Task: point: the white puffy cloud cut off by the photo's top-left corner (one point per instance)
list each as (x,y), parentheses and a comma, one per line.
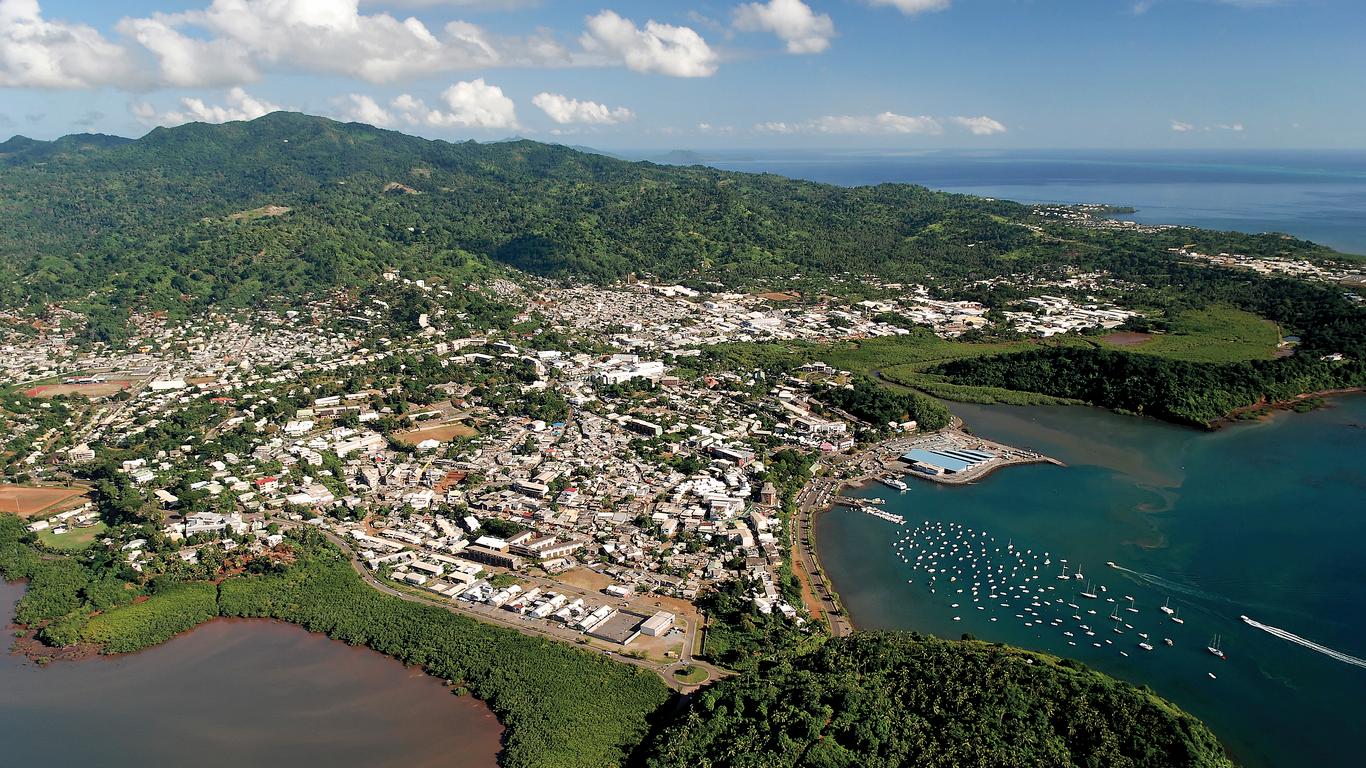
(36,53)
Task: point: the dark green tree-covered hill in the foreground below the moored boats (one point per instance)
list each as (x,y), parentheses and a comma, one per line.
(878,700)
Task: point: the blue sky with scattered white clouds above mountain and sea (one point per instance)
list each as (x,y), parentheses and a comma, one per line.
(707,74)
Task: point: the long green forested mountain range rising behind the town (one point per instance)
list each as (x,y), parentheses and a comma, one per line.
(193,215)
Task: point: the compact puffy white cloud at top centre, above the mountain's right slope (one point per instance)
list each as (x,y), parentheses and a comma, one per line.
(656,49)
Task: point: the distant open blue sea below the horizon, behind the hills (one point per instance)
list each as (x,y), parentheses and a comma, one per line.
(1318,196)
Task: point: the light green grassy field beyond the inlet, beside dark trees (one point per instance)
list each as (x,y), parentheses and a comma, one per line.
(1218,334)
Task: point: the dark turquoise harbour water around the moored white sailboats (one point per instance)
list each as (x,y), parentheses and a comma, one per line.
(1266,520)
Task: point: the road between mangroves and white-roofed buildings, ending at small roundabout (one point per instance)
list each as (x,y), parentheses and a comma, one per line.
(492,616)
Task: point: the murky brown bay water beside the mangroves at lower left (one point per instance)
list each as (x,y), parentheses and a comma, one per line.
(232,694)
